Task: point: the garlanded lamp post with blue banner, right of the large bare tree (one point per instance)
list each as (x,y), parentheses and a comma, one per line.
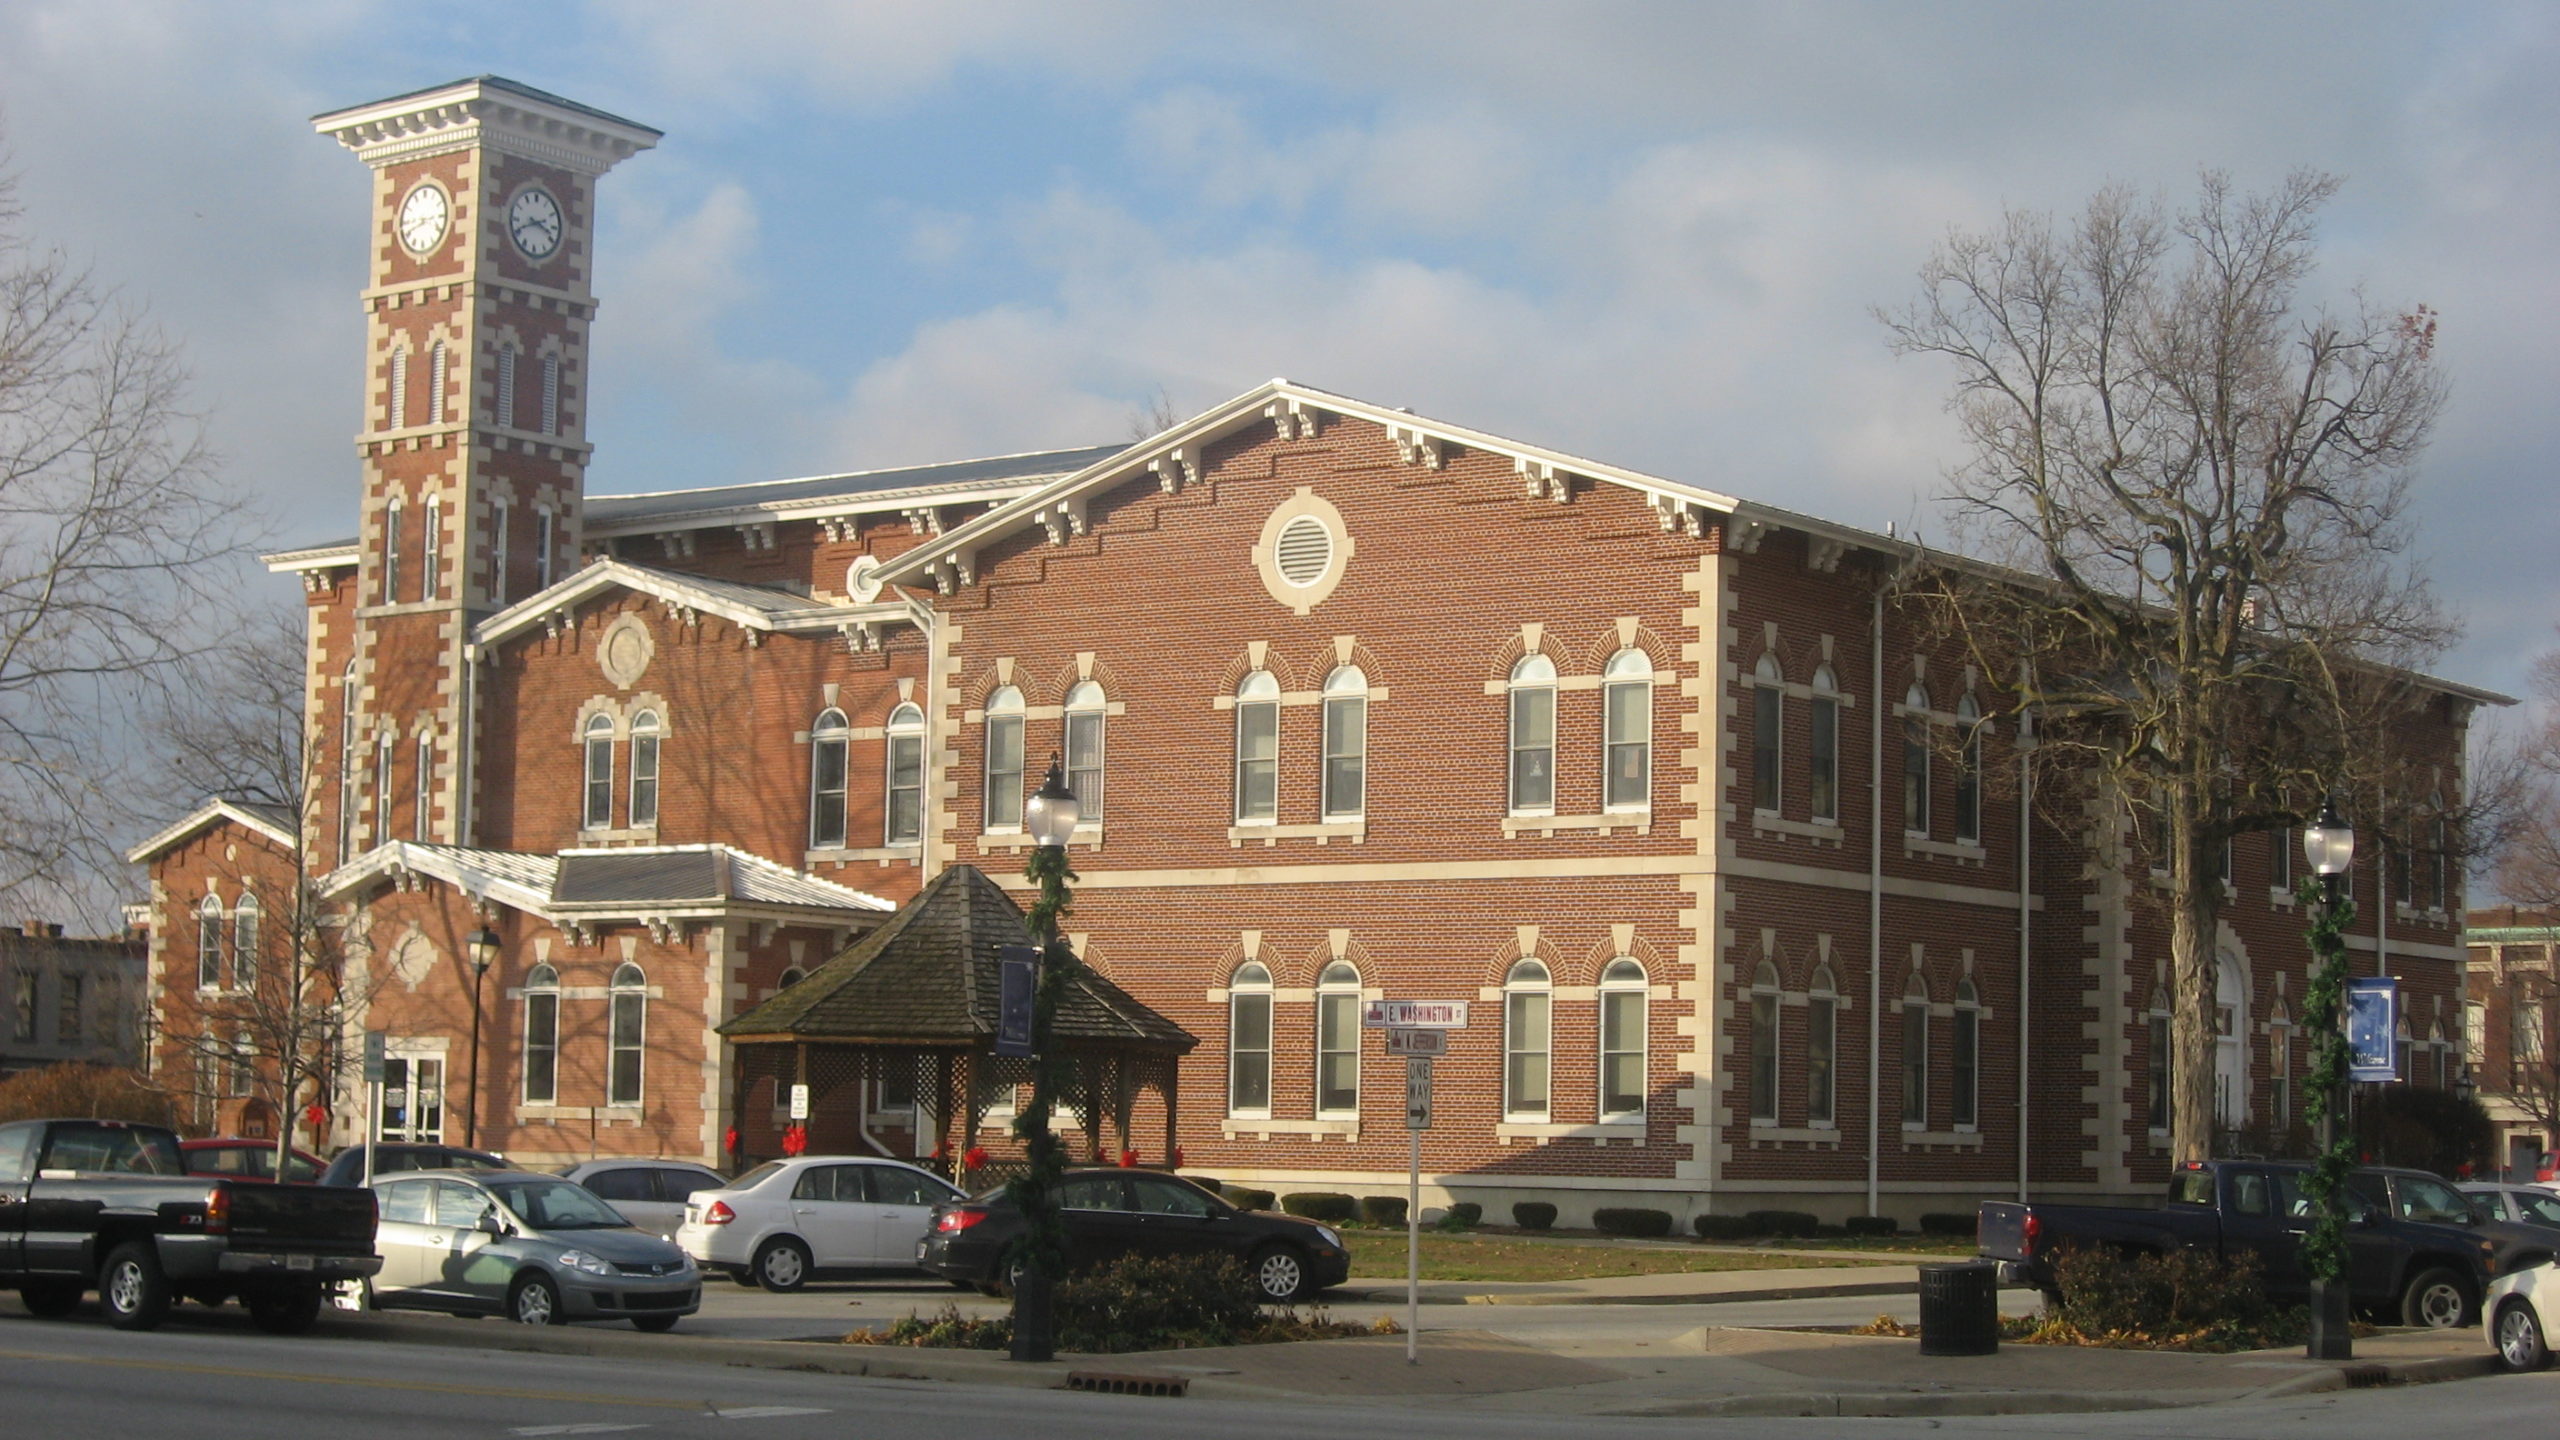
(2331,847)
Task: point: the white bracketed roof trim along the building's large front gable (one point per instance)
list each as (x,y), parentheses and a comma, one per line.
(1266,404)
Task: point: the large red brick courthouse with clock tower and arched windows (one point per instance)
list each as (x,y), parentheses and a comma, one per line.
(1358,703)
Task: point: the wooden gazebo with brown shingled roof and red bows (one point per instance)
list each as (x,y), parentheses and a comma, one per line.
(913,1008)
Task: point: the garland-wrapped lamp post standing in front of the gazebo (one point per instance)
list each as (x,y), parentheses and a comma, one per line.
(1048,816)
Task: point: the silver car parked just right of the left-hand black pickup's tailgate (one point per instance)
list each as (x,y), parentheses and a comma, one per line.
(534,1249)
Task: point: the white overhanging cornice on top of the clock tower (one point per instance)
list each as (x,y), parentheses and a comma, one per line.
(488,111)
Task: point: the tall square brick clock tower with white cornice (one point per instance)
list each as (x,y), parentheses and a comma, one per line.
(475,416)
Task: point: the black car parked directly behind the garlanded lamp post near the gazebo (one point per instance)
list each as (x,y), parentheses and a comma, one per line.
(1138,1213)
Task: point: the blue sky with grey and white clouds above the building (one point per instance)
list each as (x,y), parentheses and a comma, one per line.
(1647,232)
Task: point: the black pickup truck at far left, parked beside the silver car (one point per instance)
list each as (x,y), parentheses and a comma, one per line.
(111,1208)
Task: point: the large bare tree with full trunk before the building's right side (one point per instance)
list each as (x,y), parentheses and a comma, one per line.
(2200,486)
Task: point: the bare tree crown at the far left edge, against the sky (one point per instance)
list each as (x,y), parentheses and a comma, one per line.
(114,529)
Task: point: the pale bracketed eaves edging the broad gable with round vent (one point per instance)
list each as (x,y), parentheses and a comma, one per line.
(1174,457)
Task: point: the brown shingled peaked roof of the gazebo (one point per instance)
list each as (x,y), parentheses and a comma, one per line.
(931,975)
